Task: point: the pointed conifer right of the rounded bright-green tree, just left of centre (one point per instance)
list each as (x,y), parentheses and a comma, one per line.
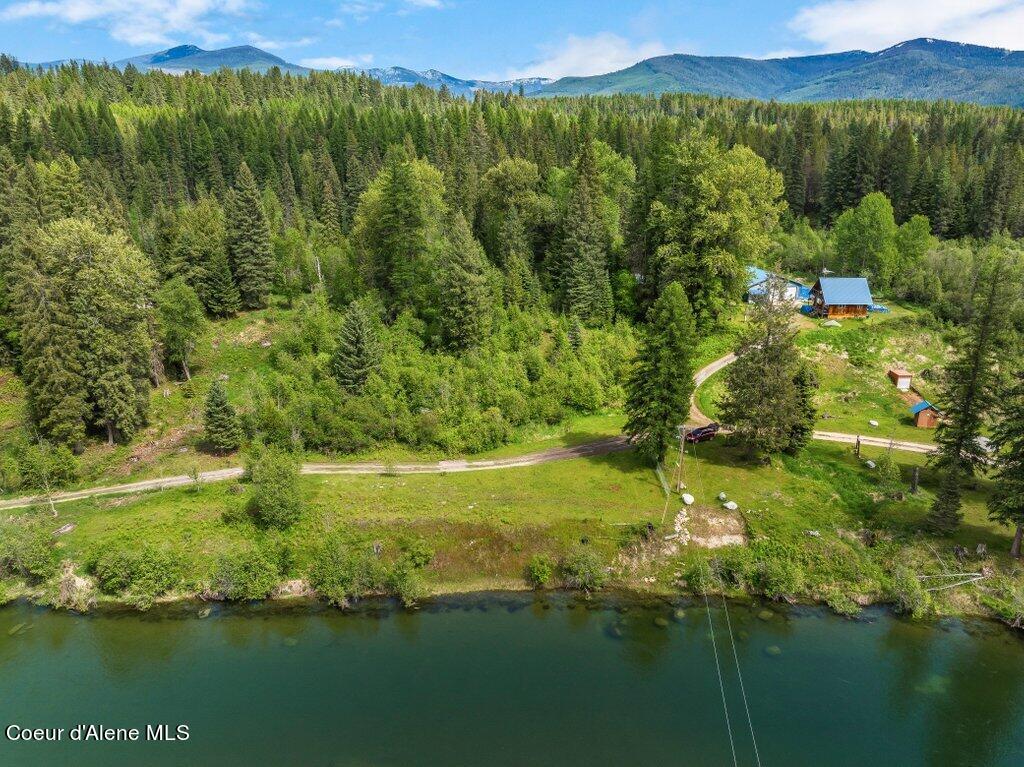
(465,296)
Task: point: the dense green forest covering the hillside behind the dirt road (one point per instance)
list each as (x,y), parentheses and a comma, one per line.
(451,271)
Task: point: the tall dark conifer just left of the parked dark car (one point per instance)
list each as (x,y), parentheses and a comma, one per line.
(661,386)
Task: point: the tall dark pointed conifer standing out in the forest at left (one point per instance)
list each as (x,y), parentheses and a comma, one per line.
(249,242)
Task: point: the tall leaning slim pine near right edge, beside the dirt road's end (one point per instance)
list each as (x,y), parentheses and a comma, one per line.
(969,390)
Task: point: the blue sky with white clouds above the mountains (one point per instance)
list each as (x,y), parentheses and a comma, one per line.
(496,39)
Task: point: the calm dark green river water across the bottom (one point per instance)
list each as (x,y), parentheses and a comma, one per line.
(509,681)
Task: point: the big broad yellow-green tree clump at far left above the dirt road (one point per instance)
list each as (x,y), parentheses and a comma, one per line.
(84,308)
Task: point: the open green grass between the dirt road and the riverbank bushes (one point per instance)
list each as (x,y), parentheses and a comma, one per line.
(485,527)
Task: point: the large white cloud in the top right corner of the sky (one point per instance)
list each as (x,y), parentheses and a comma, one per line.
(873,25)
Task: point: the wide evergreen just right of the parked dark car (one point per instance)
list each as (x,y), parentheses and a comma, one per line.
(770,390)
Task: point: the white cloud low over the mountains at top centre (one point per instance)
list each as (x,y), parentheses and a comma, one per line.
(588,56)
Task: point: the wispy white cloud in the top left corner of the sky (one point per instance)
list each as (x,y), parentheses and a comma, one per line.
(136,22)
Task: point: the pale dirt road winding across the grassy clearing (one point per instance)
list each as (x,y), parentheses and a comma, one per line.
(596,448)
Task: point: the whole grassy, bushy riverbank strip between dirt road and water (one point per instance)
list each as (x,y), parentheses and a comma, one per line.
(583,525)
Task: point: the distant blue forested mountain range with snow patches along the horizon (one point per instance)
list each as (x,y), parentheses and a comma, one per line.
(925,69)
